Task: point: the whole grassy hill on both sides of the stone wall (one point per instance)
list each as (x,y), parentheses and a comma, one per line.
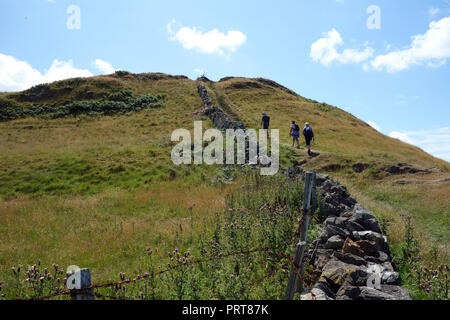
(94,186)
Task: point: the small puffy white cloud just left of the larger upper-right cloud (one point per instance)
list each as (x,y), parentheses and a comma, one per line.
(324,50)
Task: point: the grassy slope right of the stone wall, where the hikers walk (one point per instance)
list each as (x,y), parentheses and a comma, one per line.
(343,139)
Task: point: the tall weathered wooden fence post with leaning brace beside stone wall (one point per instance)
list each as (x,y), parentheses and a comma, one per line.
(294,284)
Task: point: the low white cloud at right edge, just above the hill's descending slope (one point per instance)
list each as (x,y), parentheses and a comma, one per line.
(433,141)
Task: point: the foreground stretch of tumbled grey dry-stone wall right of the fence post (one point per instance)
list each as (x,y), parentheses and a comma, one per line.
(350,259)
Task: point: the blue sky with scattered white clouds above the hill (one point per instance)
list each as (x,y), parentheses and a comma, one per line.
(385,61)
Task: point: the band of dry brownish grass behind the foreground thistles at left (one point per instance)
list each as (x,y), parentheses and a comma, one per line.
(107,231)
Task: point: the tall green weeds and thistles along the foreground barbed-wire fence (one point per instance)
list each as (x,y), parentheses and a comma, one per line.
(263,214)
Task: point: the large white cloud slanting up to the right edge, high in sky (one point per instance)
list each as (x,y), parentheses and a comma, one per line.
(432,48)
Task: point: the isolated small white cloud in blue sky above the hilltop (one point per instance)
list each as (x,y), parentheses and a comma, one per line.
(211,42)
